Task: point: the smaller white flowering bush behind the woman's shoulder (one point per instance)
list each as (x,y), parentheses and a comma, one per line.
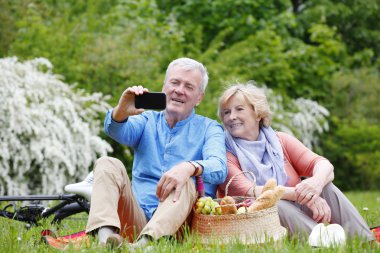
(303,118)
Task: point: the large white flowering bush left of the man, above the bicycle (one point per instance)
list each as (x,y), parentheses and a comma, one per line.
(48,130)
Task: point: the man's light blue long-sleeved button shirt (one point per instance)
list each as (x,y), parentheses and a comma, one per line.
(157,148)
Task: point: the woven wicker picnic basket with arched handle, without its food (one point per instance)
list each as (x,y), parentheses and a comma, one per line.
(249,228)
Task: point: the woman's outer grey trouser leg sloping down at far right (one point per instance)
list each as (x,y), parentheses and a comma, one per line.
(345,214)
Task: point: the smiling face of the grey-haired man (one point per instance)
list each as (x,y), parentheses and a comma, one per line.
(183,91)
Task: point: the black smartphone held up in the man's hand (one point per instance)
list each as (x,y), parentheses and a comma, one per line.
(151,100)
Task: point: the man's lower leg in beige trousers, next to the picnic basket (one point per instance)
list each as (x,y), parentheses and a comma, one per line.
(170,216)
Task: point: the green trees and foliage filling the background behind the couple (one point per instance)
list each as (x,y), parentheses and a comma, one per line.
(324,50)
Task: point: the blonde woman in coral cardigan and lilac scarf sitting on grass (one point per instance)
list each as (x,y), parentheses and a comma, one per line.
(254,146)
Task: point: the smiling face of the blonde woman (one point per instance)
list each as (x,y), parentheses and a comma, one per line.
(240,119)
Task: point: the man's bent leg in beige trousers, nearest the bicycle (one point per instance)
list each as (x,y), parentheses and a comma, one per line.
(112,201)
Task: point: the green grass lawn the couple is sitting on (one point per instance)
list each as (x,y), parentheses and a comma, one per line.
(15,237)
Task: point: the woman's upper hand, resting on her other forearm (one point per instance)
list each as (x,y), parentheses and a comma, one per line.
(308,190)
